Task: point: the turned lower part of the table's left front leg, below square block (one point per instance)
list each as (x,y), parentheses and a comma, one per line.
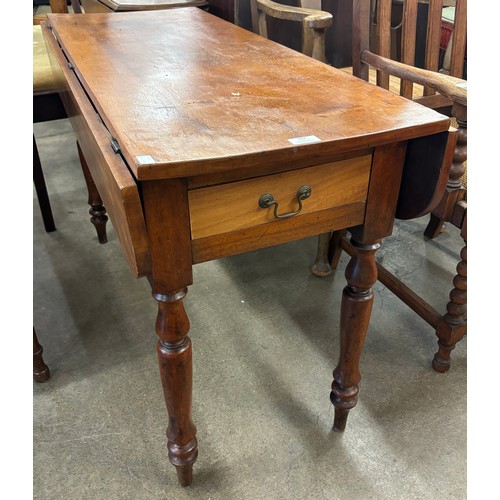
(175,359)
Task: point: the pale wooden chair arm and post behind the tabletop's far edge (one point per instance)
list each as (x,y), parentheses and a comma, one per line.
(313,24)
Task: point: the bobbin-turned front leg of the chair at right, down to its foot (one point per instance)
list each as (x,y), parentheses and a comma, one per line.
(453,326)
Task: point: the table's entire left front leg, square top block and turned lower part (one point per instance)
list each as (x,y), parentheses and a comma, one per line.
(167,217)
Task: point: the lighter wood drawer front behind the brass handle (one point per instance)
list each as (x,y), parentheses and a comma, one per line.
(235,206)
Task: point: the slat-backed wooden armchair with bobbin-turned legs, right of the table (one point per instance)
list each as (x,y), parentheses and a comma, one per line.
(430,86)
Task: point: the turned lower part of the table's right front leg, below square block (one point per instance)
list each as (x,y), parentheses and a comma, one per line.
(357,301)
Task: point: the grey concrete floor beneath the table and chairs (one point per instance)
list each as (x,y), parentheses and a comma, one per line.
(265,337)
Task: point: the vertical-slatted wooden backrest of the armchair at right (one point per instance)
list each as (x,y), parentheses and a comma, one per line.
(404,29)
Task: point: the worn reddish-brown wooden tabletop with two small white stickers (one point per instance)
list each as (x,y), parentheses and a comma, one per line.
(185,93)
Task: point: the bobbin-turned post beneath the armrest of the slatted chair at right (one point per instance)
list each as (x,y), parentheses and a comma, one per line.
(454,189)
